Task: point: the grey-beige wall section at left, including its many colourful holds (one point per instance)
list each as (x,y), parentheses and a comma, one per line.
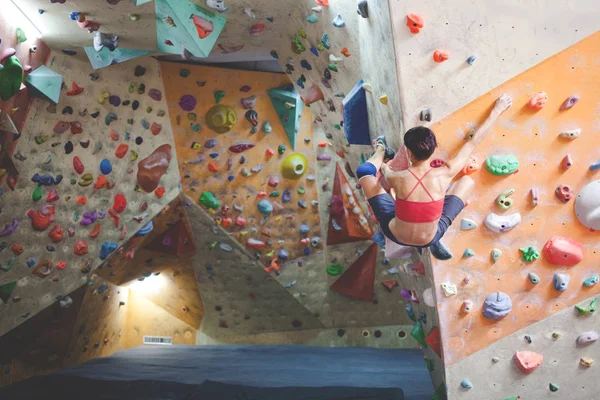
(93,170)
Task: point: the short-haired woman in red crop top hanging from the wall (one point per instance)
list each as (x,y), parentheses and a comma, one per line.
(420,207)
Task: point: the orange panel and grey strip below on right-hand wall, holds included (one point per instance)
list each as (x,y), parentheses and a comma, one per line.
(525,247)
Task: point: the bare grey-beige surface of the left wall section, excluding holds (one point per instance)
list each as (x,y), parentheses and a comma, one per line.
(54,156)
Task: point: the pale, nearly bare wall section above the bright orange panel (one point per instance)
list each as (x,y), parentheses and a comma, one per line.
(503,38)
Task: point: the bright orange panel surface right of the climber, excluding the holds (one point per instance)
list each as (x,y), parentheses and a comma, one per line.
(533,137)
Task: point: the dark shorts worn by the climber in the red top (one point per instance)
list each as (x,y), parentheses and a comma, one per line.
(384,208)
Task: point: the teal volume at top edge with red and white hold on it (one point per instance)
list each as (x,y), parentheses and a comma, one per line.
(181,24)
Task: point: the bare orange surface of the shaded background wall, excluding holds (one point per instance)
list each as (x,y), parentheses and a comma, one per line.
(196,178)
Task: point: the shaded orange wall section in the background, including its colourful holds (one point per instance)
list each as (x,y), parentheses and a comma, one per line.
(236,169)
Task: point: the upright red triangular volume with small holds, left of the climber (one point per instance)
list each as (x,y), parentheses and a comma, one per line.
(345,226)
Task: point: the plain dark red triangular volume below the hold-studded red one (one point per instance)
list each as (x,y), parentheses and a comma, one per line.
(359,280)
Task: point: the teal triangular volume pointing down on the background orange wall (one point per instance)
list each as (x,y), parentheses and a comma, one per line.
(288,106)
